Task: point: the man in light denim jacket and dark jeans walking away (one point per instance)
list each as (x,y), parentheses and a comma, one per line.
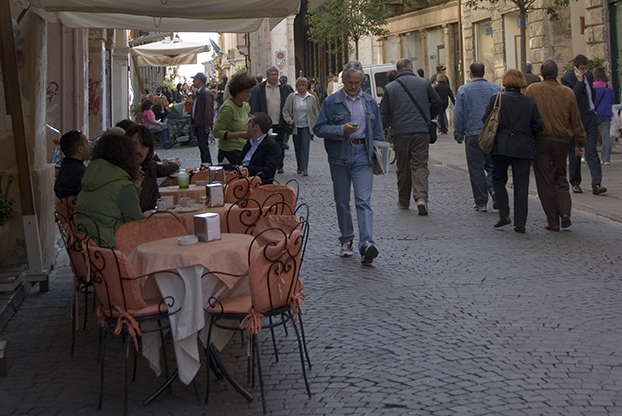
(471,102)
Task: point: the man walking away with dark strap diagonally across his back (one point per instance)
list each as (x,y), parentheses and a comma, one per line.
(411,137)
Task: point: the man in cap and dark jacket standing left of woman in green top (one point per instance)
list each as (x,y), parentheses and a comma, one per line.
(202,115)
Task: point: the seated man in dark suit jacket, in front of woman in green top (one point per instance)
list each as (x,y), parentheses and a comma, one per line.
(260,153)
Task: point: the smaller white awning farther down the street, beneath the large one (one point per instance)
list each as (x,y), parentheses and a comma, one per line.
(168,53)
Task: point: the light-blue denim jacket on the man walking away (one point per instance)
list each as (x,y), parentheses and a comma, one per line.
(471,102)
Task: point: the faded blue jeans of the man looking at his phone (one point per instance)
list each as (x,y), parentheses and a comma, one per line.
(361,176)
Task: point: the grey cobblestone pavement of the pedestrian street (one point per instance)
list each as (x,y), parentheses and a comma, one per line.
(455,318)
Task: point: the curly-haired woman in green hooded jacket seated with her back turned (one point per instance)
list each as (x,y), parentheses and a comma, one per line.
(110,190)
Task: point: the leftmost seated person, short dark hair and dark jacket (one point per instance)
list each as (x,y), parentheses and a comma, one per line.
(76,149)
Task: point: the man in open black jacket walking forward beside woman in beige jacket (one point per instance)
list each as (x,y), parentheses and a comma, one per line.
(270,100)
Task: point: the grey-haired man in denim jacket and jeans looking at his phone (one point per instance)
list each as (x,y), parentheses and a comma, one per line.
(349,121)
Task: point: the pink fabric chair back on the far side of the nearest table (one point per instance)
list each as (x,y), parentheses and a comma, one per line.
(135,233)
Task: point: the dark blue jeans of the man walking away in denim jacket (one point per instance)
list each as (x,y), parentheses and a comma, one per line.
(480,170)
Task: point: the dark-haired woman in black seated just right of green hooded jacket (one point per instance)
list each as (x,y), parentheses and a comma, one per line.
(150,167)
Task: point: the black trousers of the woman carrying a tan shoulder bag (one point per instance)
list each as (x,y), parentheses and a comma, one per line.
(520,177)
